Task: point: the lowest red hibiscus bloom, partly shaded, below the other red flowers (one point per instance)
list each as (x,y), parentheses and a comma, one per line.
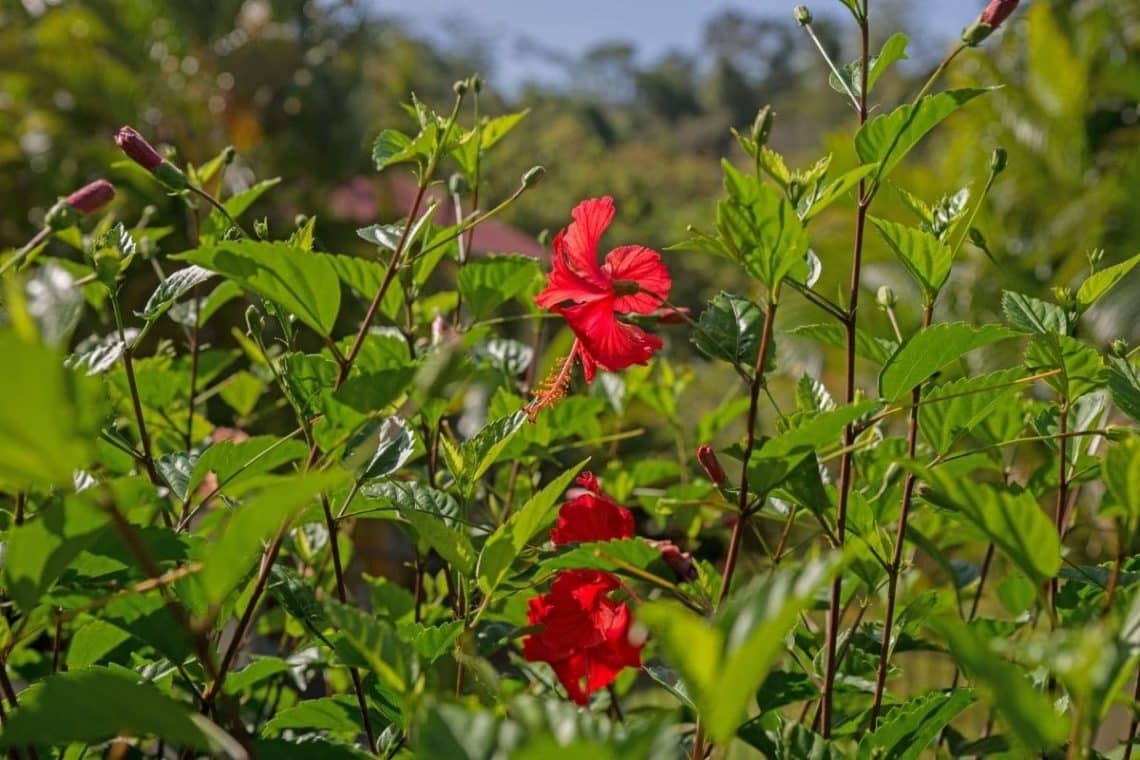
(585,635)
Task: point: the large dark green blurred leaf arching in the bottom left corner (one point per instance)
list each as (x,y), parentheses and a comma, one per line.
(99,705)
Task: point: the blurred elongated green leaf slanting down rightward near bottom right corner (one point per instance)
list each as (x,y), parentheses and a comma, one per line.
(1006,688)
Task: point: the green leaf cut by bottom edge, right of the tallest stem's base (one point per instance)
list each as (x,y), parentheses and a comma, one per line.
(908,731)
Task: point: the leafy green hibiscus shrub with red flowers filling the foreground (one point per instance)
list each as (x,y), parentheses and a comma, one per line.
(424,503)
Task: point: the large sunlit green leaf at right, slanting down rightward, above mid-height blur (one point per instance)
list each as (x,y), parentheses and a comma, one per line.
(1011,518)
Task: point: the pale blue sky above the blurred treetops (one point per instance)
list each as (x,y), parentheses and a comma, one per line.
(572,27)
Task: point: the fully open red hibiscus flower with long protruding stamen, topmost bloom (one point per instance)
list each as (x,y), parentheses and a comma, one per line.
(591,297)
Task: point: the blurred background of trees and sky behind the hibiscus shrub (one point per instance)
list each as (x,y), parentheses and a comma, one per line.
(632,99)
